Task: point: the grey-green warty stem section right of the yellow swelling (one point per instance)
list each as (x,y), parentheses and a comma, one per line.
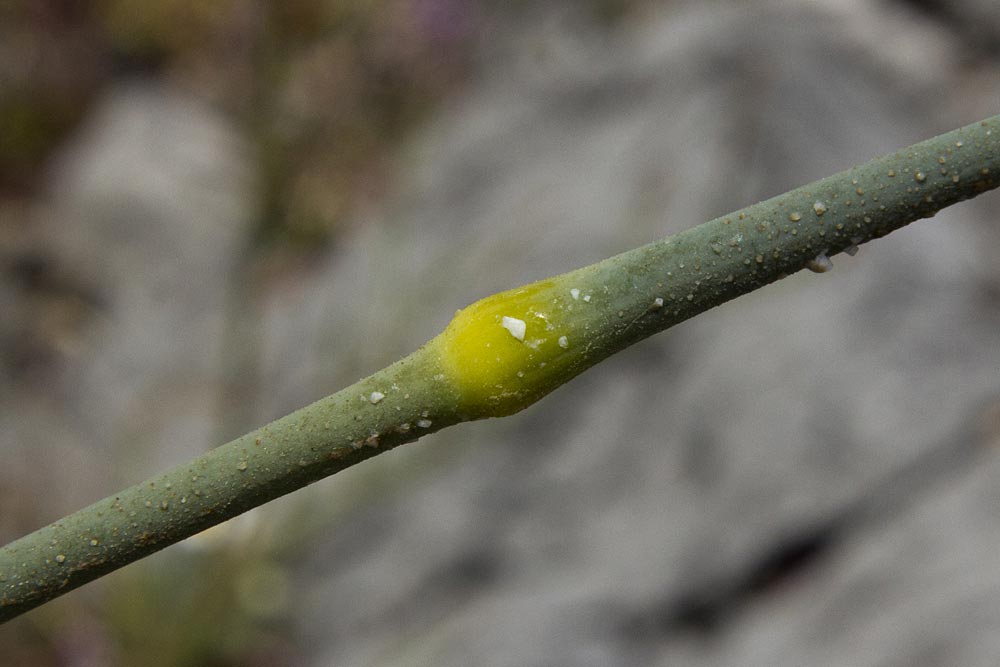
(719,260)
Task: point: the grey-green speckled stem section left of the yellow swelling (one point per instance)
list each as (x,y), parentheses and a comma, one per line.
(309,444)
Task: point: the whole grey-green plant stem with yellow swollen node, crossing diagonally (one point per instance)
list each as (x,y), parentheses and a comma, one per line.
(571,321)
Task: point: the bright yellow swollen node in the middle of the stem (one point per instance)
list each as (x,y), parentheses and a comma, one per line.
(506,351)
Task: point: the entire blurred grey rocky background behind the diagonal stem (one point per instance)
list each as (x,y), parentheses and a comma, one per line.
(212,213)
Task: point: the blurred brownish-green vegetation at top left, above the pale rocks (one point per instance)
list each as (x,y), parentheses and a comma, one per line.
(324,89)
